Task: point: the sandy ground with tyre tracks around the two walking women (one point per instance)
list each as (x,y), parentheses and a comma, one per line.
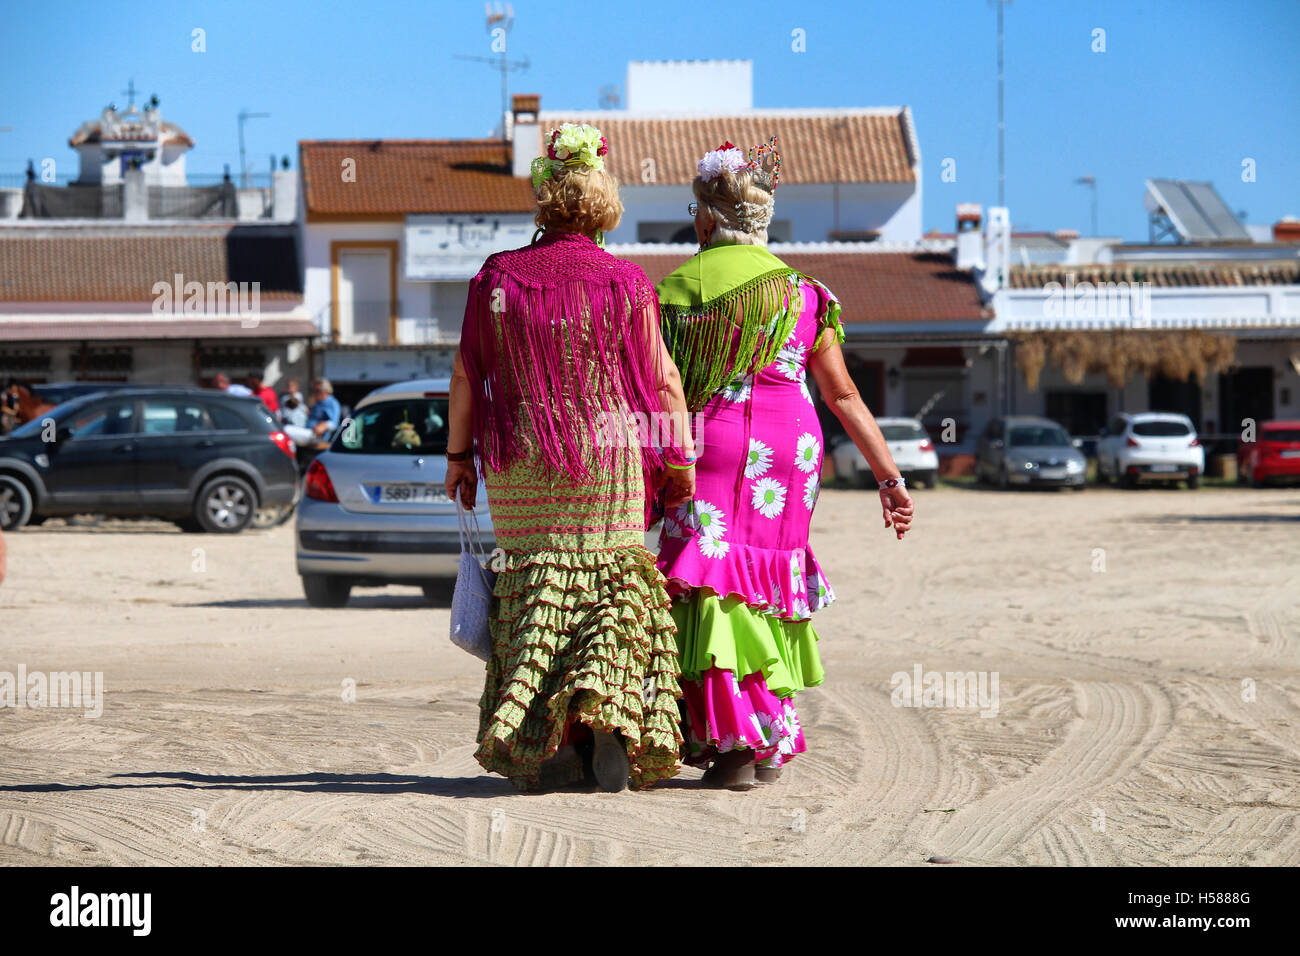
(1121,734)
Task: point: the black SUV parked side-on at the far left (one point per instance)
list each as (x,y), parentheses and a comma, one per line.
(201,458)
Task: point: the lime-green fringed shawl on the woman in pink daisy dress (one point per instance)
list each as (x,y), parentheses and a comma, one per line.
(726,313)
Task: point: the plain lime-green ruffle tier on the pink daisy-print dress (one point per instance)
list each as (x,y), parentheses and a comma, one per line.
(731,635)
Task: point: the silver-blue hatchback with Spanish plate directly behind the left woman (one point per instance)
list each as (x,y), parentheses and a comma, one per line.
(375,511)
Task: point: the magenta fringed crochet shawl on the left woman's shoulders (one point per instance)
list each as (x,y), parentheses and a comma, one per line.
(565,335)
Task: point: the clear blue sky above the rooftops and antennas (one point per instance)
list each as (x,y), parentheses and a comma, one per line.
(1186,89)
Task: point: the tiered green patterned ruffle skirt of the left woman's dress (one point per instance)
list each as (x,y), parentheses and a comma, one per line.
(583,637)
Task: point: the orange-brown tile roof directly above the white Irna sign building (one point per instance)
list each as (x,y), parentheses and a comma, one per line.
(400,176)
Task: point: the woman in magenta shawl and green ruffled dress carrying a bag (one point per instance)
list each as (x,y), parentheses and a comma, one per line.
(561,347)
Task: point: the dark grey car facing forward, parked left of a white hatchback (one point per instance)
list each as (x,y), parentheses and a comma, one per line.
(1022,452)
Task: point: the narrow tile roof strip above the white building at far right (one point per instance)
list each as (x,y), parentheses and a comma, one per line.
(1162,275)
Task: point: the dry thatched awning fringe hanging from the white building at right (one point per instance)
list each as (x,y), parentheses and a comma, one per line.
(1123,353)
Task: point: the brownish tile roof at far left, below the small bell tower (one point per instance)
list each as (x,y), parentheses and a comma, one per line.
(123,263)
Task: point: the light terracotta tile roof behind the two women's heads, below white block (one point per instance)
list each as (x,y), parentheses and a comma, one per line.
(830,148)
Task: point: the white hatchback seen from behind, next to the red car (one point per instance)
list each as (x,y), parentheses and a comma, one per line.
(1151,447)
